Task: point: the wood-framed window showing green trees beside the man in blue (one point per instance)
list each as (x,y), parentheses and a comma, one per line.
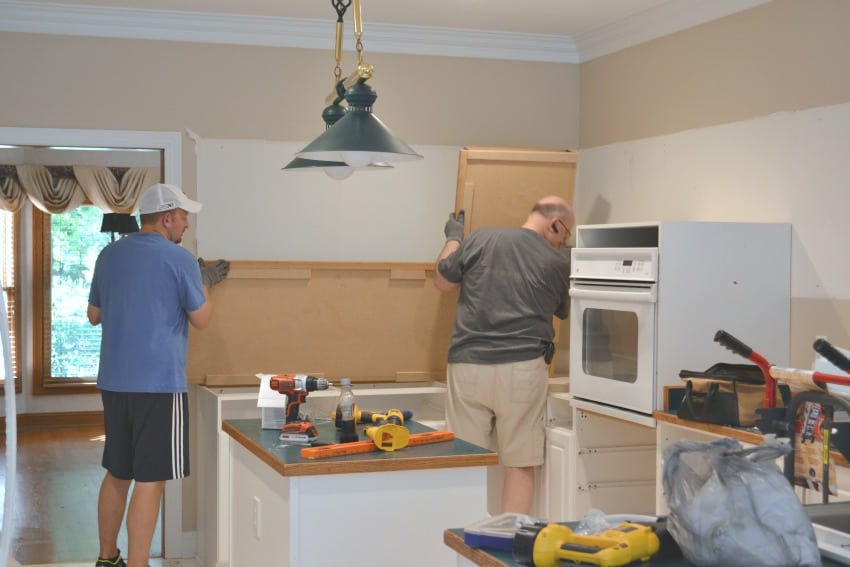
(67,347)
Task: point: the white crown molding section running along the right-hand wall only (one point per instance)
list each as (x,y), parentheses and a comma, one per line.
(665,19)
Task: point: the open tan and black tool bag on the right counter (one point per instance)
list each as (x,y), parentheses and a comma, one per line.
(725,394)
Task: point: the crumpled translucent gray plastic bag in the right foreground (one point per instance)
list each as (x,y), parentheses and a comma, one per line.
(733,507)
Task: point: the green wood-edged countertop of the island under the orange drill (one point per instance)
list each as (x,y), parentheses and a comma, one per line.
(286,458)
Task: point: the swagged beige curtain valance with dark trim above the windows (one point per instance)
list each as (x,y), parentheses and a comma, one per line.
(59,189)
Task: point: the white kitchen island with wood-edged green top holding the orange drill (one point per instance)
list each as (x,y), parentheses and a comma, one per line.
(380,508)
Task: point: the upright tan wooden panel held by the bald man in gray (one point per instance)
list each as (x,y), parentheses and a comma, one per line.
(498,186)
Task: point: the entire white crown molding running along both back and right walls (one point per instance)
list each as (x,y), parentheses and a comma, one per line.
(29,16)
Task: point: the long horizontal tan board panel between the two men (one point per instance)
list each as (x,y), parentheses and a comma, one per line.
(370,321)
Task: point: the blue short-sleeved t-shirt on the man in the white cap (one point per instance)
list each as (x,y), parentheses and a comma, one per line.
(145,286)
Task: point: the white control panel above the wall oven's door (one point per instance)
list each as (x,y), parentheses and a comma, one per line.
(624,264)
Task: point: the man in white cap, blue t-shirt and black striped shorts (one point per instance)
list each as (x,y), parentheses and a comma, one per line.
(145,292)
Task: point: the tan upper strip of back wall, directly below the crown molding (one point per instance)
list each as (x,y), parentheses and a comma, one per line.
(226,91)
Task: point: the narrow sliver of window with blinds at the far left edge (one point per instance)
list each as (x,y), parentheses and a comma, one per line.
(9,268)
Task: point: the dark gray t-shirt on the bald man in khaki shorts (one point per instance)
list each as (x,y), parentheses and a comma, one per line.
(512,283)
